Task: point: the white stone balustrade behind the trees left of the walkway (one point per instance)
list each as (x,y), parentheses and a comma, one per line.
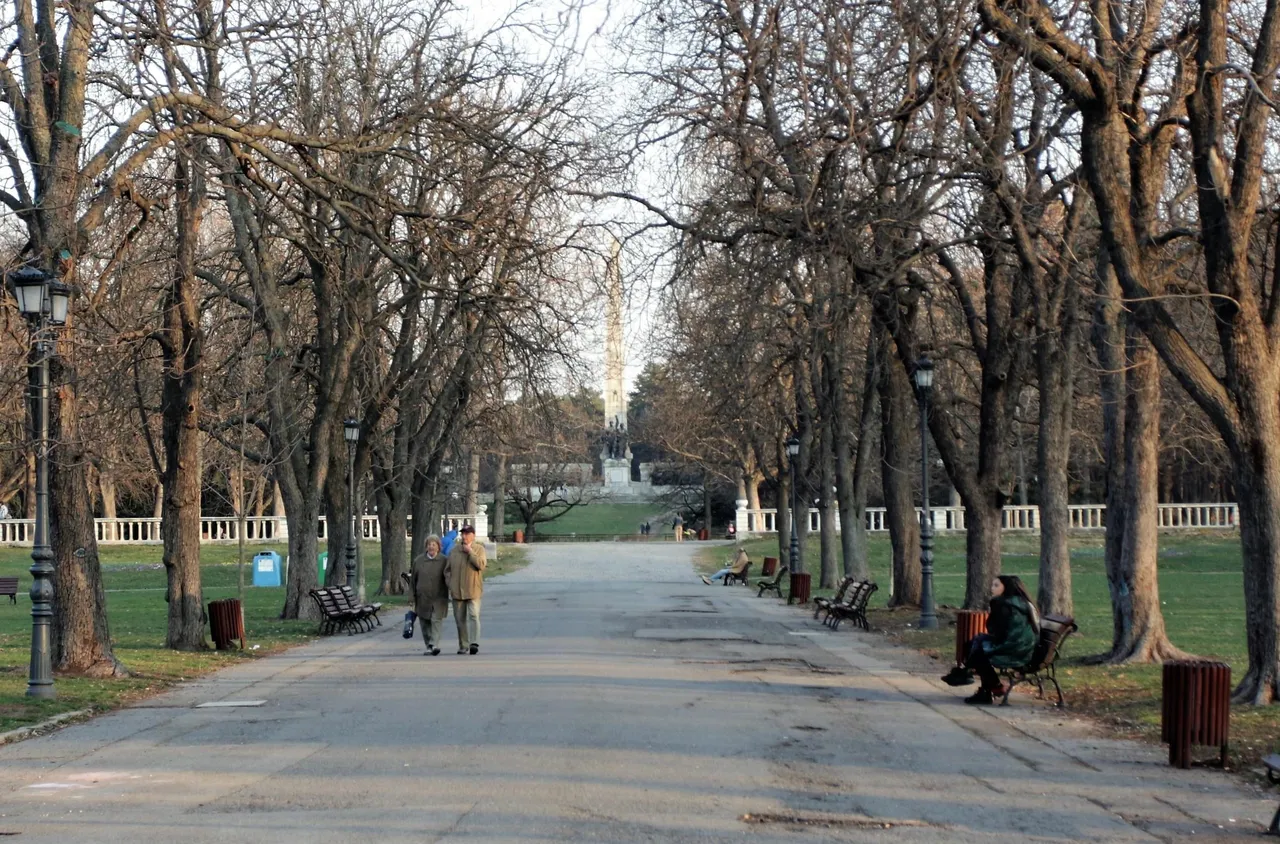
(143,532)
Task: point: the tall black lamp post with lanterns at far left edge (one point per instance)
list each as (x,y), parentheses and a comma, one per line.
(43,303)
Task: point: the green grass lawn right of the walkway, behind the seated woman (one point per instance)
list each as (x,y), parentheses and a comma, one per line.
(1201,590)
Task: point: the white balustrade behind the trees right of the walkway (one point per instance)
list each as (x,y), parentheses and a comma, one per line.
(1197,517)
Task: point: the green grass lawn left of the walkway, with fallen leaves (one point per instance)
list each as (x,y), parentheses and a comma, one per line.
(135,583)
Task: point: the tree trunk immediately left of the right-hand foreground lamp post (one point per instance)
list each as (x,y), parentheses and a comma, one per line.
(898,468)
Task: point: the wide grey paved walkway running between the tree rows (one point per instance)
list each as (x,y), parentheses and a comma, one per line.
(615,699)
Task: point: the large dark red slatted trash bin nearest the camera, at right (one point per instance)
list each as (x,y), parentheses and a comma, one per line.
(1196,708)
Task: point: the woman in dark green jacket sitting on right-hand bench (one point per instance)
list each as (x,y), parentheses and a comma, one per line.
(1013,629)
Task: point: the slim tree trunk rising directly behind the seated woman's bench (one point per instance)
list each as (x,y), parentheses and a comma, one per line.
(1055,359)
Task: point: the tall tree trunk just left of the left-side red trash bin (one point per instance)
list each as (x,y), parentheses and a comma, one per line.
(182,349)
